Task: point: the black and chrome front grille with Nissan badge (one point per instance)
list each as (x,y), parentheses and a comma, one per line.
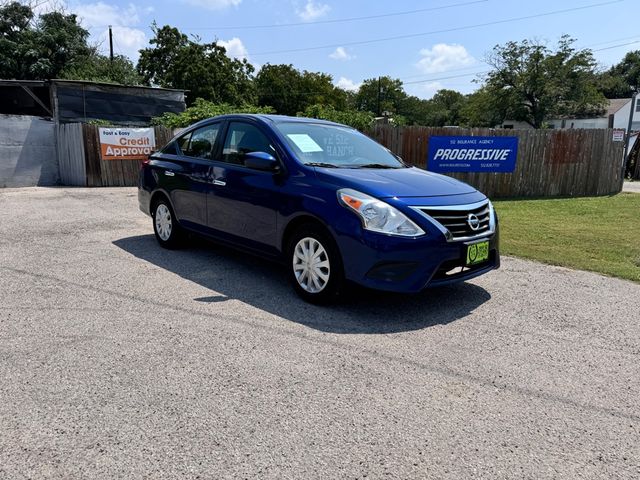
(458,221)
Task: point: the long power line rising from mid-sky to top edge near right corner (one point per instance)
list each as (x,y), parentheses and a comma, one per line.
(433,32)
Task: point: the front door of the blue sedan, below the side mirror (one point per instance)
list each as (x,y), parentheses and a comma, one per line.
(243,203)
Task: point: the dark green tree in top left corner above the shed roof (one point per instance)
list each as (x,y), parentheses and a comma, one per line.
(42,49)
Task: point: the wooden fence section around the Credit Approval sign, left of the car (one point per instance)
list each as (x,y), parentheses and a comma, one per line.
(81,164)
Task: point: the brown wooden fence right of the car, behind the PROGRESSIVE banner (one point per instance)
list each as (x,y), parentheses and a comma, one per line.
(550,162)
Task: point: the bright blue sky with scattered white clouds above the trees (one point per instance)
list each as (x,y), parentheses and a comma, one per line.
(429,44)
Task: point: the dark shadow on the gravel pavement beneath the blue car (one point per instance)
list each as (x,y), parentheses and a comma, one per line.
(263,284)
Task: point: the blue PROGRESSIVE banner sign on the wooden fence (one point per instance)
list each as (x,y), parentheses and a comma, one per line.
(472,154)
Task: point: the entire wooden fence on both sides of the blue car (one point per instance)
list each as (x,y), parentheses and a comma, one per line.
(550,162)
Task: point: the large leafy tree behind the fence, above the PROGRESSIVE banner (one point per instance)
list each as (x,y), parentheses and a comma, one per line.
(535,83)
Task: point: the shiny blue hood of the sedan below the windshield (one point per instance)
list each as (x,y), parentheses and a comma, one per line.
(401,182)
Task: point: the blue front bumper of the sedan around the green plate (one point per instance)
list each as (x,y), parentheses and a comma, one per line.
(410,265)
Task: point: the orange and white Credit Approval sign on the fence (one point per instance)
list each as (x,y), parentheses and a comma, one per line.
(126,143)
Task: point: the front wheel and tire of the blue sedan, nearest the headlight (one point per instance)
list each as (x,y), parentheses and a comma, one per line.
(314,264)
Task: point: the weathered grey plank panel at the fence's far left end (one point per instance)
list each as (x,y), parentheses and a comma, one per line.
(71,156)
